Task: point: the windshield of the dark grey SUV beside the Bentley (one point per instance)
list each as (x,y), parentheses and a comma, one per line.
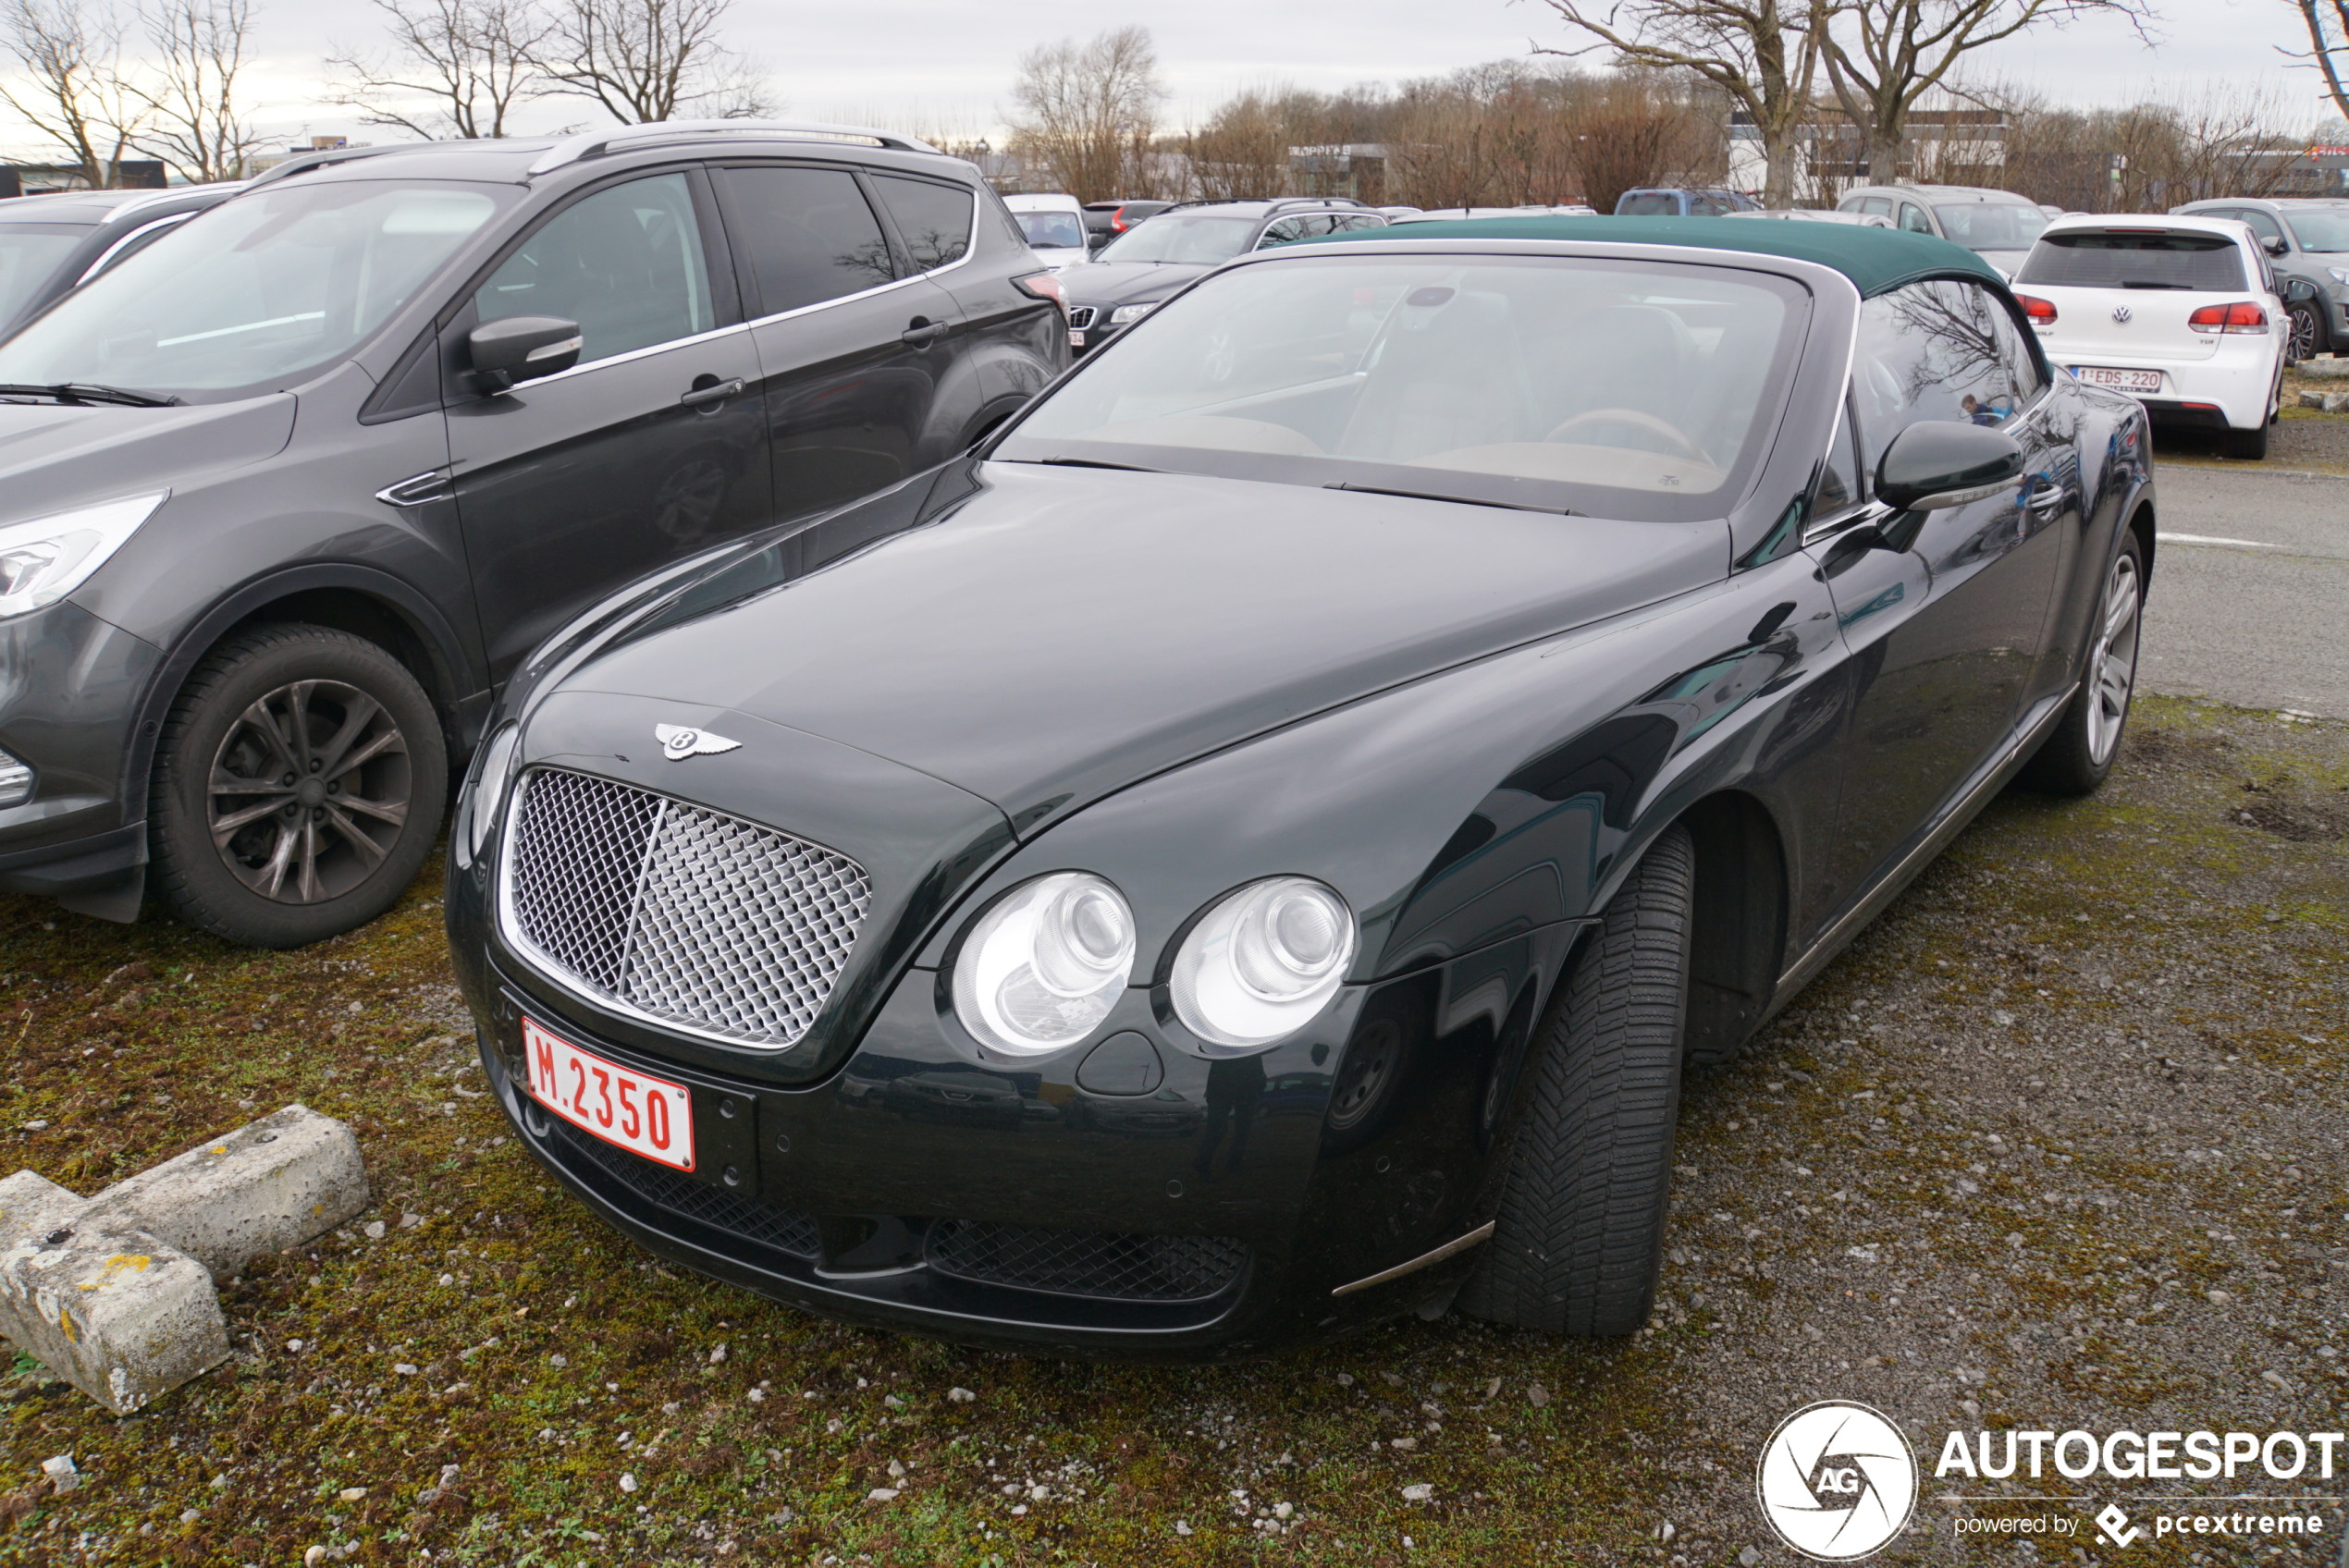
(255,292)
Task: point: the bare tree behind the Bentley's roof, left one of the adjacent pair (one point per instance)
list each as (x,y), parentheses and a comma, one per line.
(1761,53)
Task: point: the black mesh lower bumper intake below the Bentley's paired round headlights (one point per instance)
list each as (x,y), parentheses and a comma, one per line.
(1093,1264)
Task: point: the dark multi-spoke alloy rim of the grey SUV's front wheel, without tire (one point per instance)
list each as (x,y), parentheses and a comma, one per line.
(309,792)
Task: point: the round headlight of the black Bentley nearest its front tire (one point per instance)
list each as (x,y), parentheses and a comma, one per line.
(1263,961)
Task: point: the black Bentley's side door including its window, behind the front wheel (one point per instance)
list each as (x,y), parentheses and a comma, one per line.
(1944,611)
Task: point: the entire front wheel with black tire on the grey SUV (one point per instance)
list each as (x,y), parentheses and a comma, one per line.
(238,846)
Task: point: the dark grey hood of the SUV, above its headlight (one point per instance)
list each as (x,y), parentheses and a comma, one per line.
(58,454)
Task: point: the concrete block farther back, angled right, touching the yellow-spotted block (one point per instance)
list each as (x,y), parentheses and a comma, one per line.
(267,1187)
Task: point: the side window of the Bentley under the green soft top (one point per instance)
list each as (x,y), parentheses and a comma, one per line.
(1939,351)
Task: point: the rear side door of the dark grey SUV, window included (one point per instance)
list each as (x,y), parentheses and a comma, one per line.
(847,337)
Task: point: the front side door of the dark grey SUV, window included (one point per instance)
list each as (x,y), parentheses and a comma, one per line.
(647,450)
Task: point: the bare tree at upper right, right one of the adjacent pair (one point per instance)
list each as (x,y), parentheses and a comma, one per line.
(1885,55)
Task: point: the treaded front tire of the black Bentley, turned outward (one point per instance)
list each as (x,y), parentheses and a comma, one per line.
(1580,1236)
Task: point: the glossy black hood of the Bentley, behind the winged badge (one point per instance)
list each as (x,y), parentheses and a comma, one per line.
(1065,633)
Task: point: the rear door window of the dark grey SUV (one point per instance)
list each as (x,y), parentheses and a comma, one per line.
(809,236)
